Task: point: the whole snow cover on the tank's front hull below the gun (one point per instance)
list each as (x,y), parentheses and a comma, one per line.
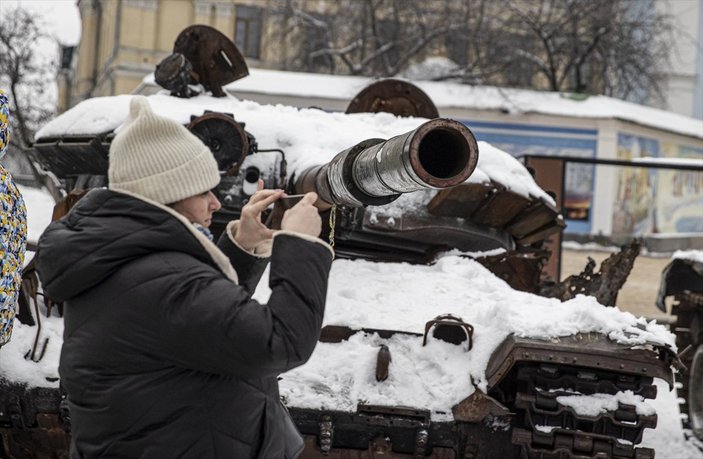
(399,296)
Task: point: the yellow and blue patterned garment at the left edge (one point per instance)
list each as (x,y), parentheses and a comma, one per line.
(13,234)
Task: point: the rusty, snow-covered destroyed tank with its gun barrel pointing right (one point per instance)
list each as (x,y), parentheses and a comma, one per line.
(422,366)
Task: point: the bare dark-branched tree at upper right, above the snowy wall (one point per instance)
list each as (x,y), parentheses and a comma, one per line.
(611,47)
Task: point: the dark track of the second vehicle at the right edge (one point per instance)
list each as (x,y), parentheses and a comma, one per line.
(688,309)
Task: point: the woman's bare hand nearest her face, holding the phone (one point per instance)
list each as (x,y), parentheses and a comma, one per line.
(252,231)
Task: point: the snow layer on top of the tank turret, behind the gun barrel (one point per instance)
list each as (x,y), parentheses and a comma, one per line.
(308,137)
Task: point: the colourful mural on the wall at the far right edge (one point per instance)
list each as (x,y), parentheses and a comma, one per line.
(651,200)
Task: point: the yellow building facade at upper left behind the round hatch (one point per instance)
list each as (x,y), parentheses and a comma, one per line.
(123,40)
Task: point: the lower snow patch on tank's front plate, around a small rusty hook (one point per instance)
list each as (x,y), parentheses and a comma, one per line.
(341,375)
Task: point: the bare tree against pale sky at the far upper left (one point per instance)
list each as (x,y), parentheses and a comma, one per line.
(26,74)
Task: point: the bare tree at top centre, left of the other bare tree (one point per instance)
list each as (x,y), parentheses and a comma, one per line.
(365,37)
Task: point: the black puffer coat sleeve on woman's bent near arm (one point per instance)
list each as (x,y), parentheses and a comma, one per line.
(211,324)
